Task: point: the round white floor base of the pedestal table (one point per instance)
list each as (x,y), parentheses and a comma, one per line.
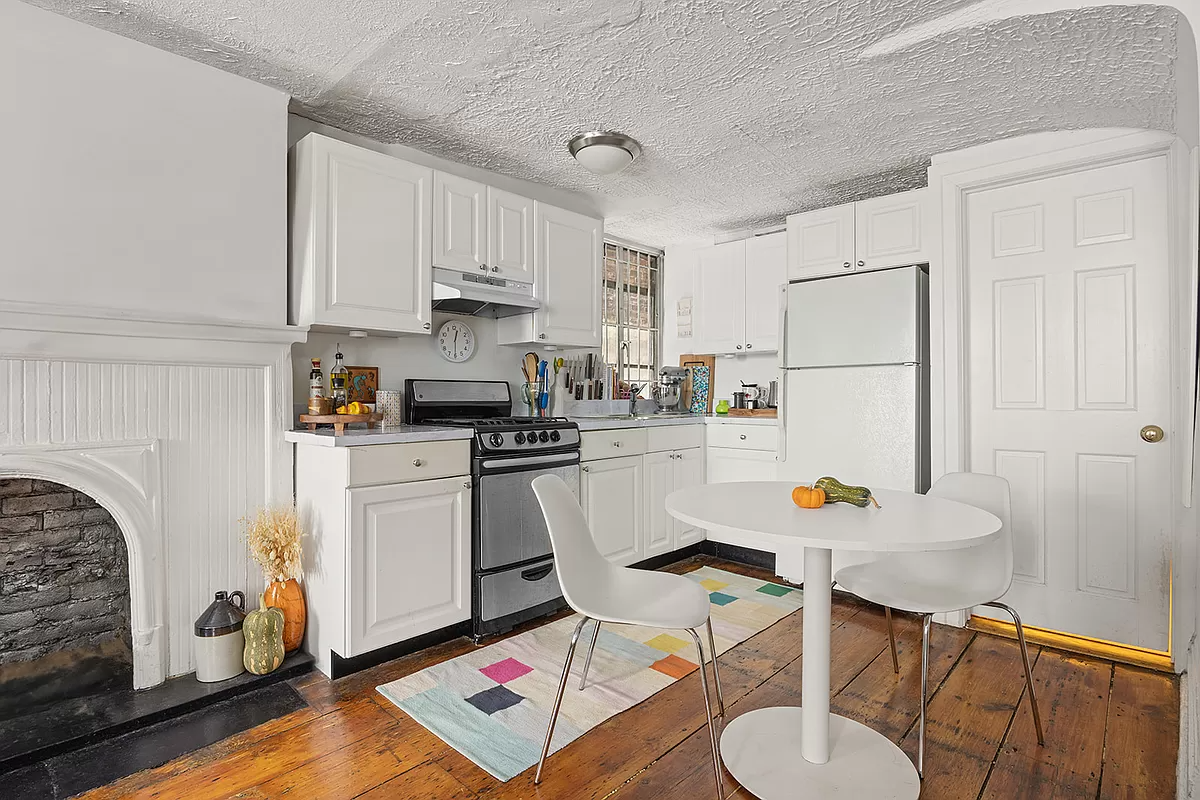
(763,750)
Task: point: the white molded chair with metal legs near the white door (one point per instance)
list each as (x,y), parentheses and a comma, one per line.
(932,584)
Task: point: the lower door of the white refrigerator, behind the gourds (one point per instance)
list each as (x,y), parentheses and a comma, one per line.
(862,425)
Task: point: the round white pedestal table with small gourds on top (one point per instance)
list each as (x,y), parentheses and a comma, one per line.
(790,753)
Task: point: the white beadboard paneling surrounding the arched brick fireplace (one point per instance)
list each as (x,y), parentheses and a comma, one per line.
(217,430)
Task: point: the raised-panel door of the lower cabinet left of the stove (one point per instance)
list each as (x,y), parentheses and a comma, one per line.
(410,562)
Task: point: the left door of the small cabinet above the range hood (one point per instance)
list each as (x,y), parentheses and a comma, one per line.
(460,224)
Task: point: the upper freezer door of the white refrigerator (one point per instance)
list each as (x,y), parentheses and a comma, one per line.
(863,318)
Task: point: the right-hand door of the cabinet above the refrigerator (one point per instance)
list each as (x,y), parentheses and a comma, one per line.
(889,231)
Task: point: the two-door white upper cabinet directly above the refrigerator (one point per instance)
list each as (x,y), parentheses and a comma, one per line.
(873,234)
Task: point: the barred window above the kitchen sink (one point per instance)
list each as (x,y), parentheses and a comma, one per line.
(632,282)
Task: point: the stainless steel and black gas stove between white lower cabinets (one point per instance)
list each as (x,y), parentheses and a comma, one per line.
(513,564)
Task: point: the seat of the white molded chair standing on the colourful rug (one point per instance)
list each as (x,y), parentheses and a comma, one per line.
(644,598)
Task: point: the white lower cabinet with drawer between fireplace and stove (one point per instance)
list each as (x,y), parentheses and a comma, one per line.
(388,550)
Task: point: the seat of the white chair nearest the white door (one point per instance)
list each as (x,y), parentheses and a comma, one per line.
(898,582)
